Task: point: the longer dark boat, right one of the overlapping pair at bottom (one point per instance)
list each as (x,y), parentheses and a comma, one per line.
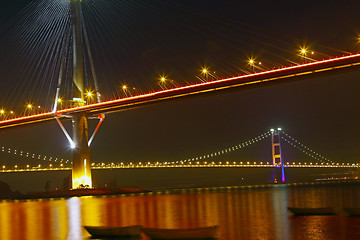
(187,233)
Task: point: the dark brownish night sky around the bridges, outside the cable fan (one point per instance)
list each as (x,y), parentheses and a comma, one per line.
(177,38)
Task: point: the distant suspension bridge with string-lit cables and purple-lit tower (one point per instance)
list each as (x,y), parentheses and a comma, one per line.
(278,164)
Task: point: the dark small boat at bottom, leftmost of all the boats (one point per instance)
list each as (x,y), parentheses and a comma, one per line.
(103,232)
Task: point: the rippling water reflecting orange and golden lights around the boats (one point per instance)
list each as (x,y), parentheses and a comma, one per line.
(244,214)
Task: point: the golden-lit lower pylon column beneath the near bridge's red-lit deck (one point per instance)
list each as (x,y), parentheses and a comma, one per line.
(81,169)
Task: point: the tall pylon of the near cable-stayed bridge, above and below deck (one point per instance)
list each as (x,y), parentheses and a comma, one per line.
(81,171)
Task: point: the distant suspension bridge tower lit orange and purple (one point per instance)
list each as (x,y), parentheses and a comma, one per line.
(278,169)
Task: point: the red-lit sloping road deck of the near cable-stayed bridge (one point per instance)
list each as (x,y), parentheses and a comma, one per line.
(276,76)
